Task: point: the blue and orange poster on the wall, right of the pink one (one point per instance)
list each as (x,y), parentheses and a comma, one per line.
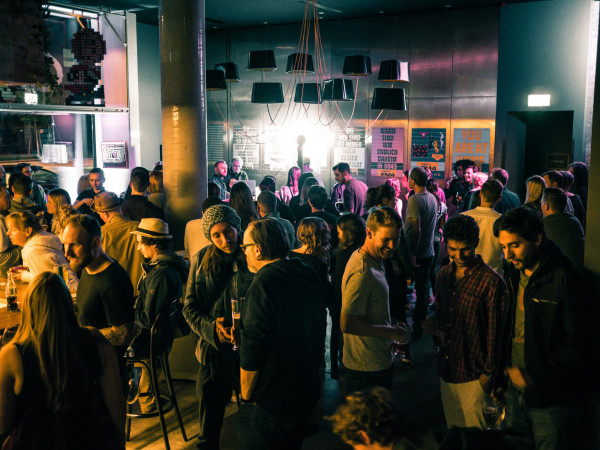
(428,149)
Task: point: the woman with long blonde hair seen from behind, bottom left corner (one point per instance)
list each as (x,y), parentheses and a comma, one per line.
(59,382)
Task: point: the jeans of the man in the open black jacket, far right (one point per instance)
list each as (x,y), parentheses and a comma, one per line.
(546,426)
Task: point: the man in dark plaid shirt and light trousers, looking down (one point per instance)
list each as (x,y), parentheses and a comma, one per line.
(470,300)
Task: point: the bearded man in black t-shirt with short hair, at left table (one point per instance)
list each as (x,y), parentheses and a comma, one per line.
(105,292)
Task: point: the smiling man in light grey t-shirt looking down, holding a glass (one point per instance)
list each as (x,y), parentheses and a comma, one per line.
(365,317)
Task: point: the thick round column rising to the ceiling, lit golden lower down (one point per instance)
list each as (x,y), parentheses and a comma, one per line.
(183,97)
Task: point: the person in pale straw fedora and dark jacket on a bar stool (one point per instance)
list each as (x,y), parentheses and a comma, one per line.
(160,288)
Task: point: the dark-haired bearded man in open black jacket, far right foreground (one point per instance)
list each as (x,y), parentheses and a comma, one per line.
(542,342)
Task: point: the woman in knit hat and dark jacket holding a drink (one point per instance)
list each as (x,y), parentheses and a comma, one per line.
(218,274)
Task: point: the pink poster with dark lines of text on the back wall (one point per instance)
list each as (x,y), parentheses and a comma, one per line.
(387,152)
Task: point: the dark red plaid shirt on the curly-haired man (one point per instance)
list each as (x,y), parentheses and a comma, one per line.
(471,310)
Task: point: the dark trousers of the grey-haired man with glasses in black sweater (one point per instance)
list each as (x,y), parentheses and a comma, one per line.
(259,429)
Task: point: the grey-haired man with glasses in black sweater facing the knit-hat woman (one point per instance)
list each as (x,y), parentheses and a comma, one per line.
(281,346)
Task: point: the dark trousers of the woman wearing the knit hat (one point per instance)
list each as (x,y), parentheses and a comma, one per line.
(213,391)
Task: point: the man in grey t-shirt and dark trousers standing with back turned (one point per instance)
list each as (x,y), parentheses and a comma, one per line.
(420,225)
